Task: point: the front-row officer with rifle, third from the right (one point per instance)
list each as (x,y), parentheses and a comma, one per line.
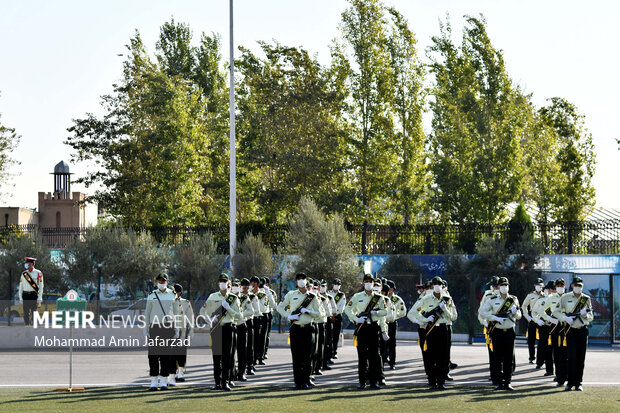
(436,311)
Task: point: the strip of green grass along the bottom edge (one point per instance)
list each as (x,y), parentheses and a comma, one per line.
(266,399)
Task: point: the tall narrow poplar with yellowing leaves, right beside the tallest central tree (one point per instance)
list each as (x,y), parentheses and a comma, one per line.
(411,191)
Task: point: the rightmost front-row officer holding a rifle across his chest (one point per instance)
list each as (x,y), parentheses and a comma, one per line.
(575,309)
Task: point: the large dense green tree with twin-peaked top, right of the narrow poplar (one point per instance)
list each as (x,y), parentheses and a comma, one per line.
(478,121)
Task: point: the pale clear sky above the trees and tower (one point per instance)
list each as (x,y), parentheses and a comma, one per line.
(58,57)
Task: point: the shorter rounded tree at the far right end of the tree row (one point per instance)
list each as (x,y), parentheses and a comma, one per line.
(575,157)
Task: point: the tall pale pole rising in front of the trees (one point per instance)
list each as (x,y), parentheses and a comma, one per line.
(233,165)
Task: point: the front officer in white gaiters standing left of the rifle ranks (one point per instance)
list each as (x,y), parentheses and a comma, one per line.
(160,328)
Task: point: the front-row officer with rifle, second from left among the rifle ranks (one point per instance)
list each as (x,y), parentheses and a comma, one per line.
(299,307)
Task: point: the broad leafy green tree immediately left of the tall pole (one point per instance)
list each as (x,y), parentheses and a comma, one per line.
(156,143)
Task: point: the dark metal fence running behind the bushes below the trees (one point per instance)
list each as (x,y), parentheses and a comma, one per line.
(587,237)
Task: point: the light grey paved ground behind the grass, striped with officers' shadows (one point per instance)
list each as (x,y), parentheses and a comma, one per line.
(113,368)
